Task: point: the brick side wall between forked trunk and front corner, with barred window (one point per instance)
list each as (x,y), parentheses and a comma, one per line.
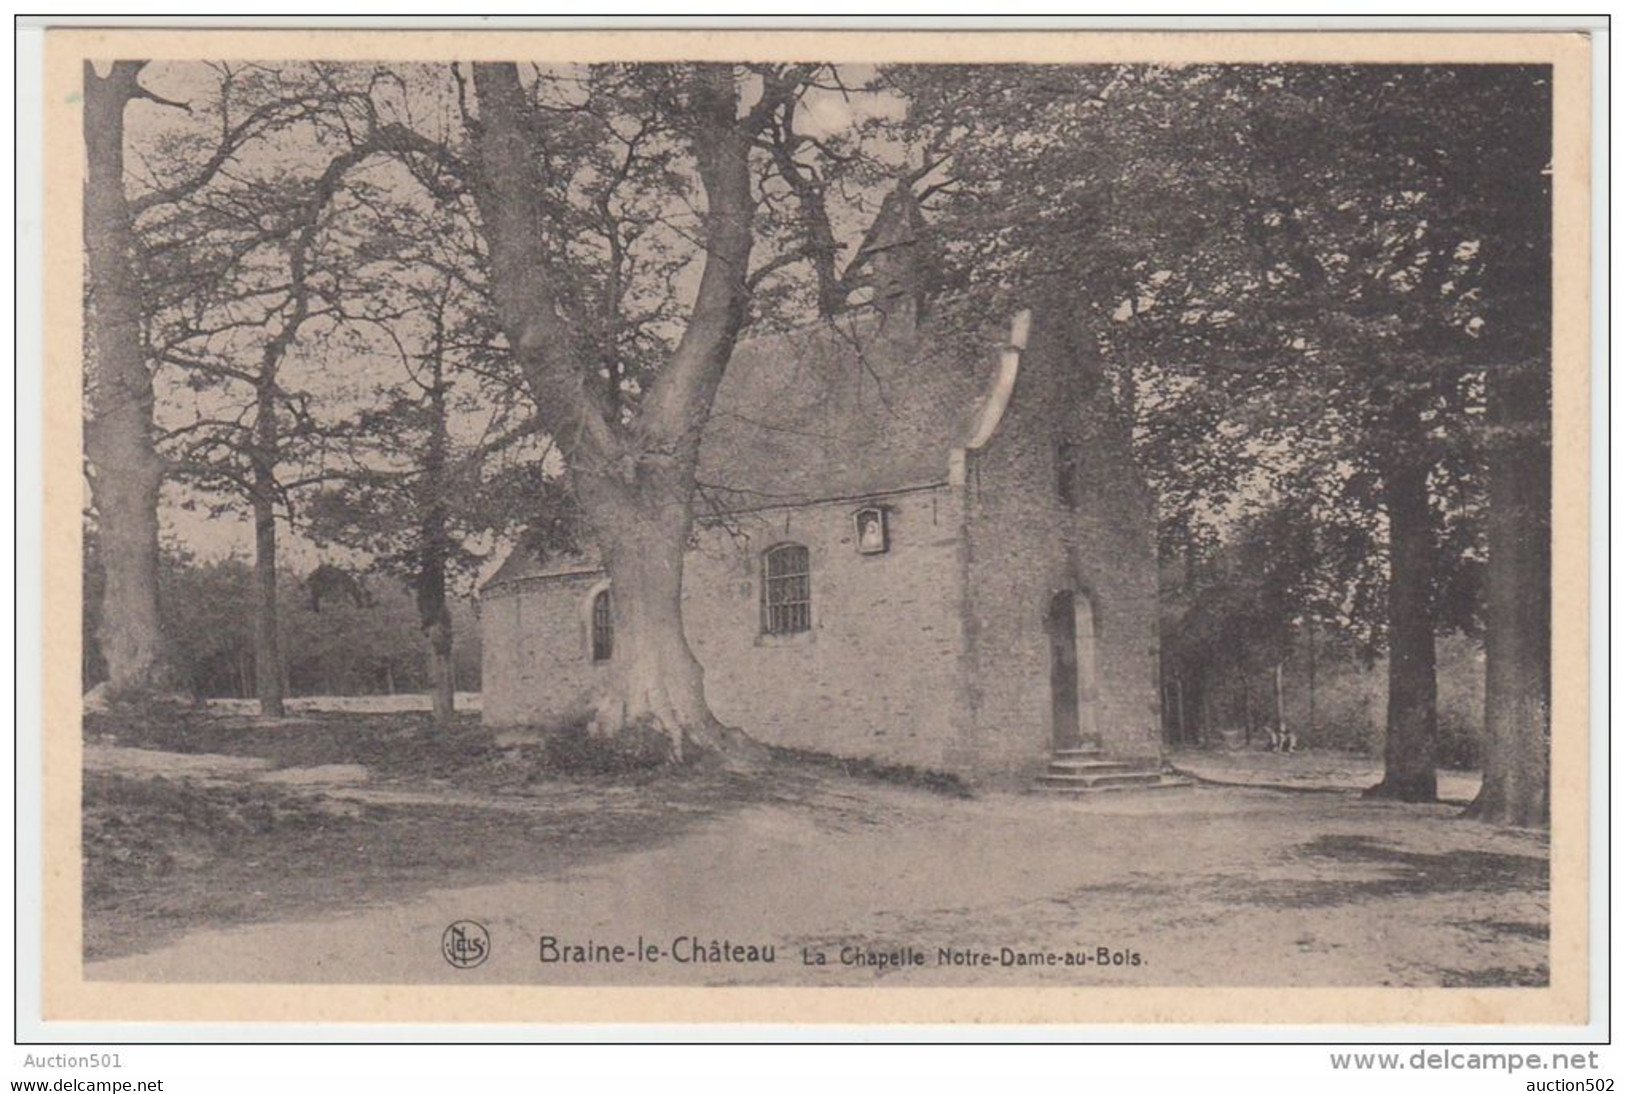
(878,674)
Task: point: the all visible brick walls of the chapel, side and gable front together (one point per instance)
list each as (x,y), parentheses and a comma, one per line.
(934,654)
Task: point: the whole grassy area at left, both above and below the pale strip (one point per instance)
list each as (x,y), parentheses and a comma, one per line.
(167,856)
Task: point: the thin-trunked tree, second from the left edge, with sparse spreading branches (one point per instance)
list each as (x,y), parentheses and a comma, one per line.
(261,269)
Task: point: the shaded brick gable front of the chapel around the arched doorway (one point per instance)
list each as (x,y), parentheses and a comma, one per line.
(1023,545)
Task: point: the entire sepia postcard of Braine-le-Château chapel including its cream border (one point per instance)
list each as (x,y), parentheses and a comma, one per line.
(817,527)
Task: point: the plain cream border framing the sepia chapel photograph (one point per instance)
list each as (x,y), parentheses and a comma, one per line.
(69,997)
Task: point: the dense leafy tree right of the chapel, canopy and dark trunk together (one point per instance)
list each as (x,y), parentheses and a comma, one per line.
(1293,259)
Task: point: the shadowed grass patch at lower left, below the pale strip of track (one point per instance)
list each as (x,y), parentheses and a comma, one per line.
(167,857)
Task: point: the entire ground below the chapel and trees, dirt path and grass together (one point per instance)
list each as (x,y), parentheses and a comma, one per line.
(339,848)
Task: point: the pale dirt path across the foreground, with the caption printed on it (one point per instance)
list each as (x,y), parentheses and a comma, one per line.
(1216,887)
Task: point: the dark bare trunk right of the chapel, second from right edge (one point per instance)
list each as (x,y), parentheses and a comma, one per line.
(1413,688)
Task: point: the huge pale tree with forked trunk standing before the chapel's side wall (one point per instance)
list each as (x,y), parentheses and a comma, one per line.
(631,462)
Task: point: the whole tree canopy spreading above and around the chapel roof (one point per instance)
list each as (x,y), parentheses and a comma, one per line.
(371,321)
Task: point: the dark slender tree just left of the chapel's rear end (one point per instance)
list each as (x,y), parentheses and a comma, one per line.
(443,462)
